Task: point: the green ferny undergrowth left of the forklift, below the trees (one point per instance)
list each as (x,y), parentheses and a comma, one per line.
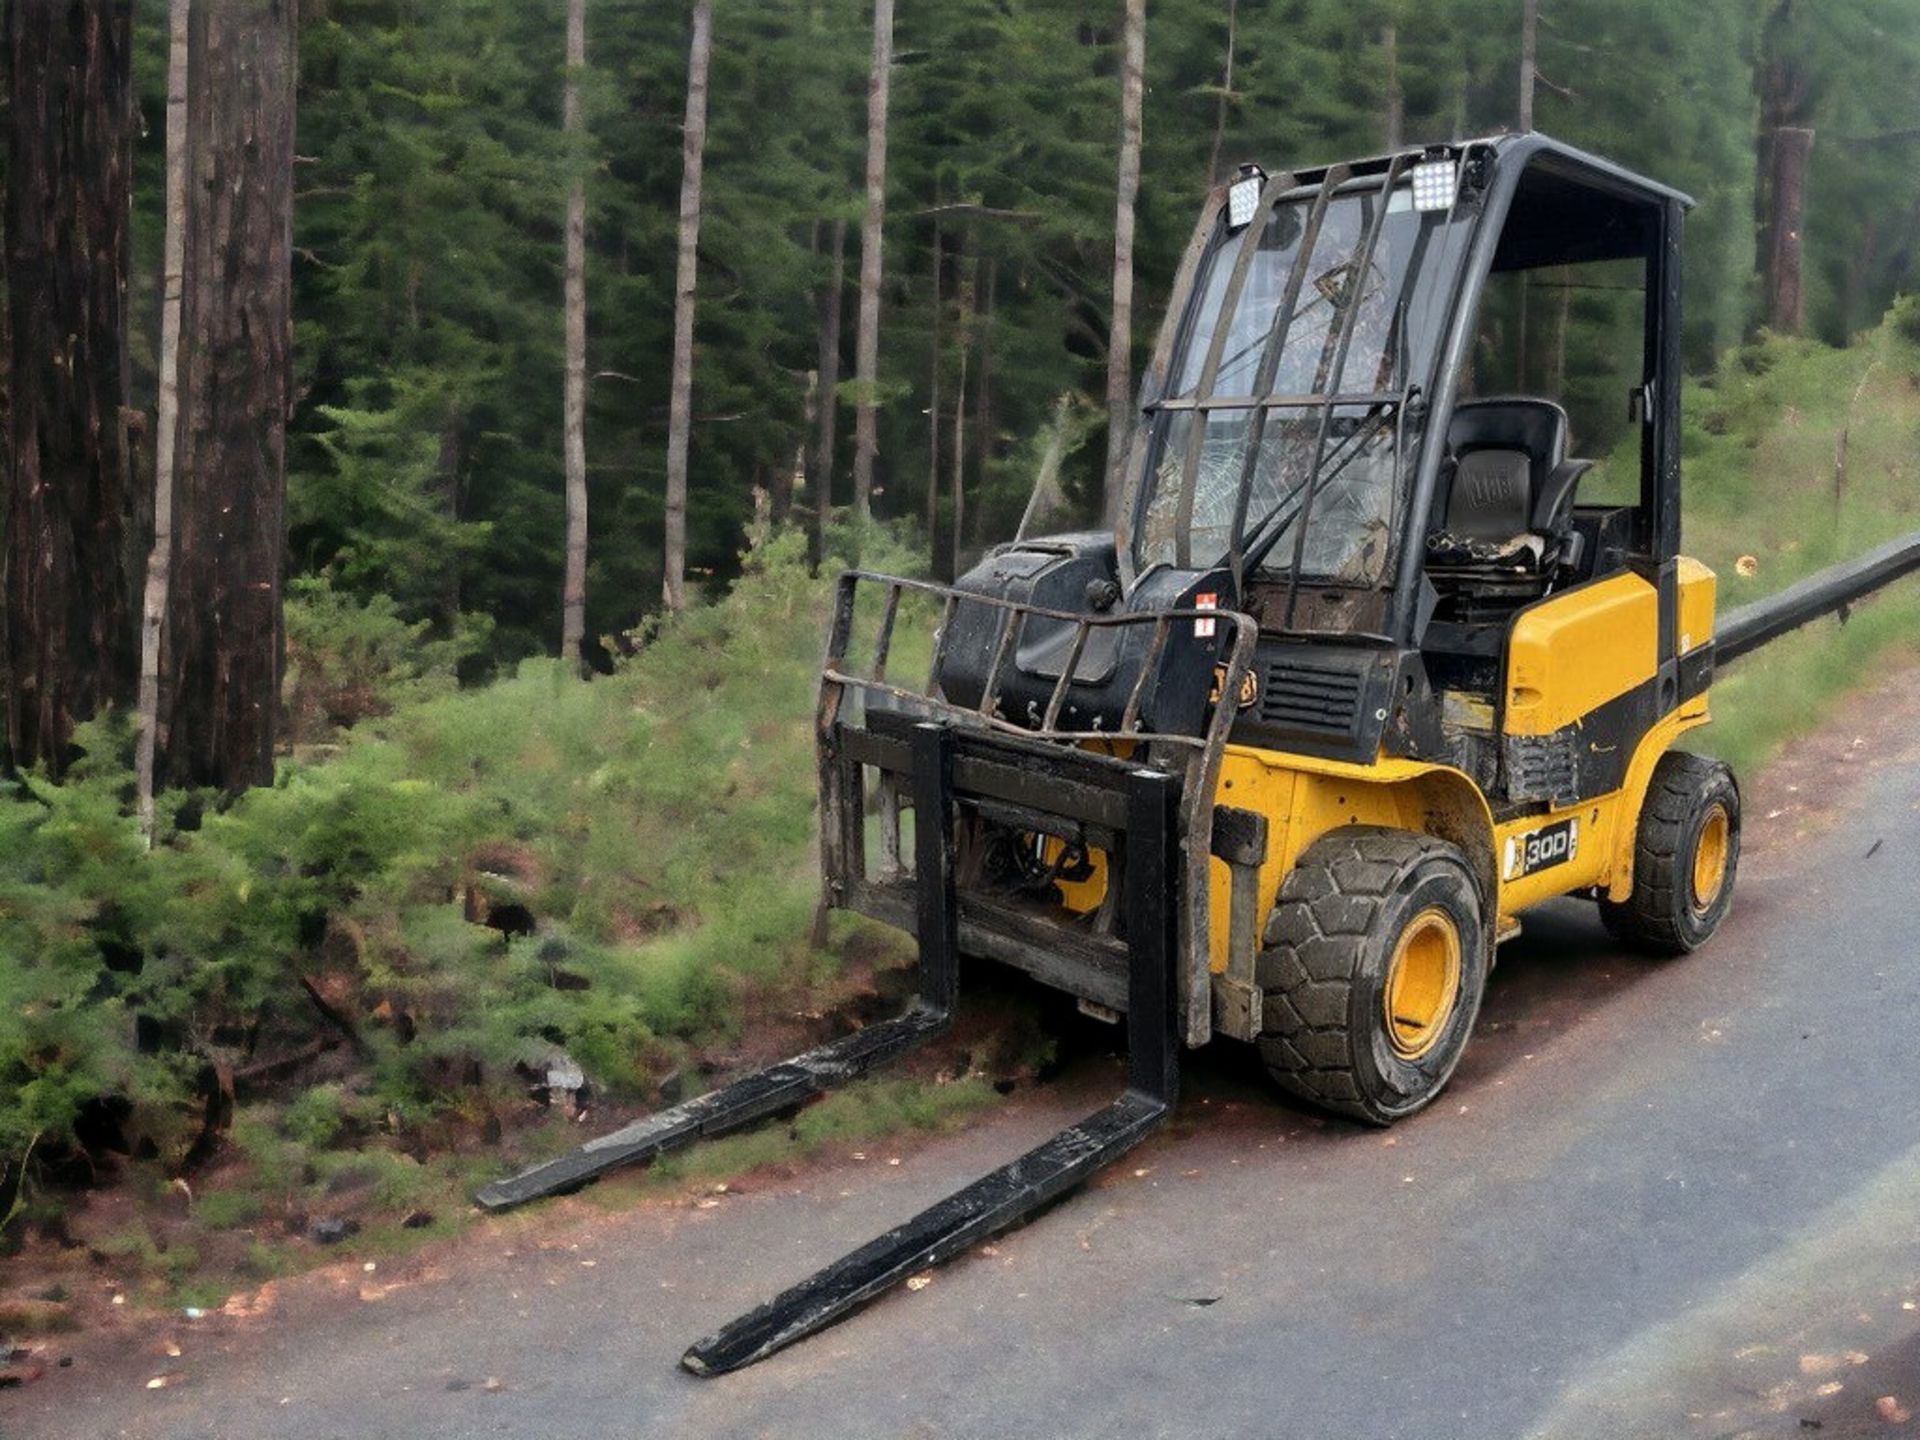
(418,919)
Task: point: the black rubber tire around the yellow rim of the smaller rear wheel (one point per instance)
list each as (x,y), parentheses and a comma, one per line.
(1664,917)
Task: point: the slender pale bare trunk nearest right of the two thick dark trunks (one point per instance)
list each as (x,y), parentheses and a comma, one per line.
(575,398)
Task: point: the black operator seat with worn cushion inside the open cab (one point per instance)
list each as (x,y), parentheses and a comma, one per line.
(1508,502)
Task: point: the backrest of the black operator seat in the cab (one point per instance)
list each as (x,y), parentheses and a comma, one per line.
(1510,469)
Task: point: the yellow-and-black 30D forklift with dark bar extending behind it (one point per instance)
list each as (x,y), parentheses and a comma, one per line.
(1368,667)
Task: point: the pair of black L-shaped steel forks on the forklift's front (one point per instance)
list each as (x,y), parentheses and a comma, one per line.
(992,1203)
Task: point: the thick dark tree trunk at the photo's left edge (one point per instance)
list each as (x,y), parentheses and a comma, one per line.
(72,546)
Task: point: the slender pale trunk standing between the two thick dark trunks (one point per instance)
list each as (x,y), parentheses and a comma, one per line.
(166,412)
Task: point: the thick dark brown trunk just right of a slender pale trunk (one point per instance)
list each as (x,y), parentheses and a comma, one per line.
(224,642)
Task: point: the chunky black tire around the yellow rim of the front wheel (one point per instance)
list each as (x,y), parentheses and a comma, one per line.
(1330,944)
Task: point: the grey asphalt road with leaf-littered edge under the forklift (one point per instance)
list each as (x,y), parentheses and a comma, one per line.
(1658,1201)
